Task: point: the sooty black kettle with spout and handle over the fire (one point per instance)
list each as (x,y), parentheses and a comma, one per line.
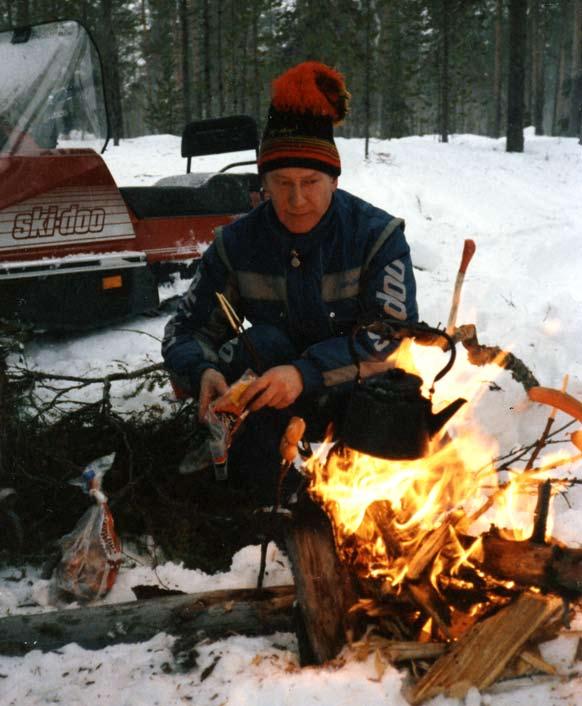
(387,416)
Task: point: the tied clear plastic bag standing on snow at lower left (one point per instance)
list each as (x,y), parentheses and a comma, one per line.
(92,551)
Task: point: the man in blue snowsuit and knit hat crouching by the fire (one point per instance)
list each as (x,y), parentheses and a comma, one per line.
(301,268)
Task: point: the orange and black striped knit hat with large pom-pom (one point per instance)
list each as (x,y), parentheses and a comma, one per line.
(306,102)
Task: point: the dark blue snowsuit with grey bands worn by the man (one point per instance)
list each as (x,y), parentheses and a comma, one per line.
(302,294)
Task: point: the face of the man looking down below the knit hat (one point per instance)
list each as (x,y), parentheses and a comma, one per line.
(300,196)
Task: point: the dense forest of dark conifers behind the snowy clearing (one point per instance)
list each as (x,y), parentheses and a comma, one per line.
(413,66)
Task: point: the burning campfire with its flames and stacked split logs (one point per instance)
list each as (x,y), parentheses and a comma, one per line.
(440,557)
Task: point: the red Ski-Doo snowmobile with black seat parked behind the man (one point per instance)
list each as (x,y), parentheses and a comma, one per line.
(76,250)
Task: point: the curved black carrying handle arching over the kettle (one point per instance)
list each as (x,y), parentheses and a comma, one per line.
(397,331)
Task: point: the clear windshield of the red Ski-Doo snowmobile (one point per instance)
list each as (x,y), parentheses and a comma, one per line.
(51,89)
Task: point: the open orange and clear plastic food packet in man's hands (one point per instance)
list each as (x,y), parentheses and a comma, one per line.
(222,420)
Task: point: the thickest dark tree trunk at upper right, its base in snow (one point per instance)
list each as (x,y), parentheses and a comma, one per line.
(516,78)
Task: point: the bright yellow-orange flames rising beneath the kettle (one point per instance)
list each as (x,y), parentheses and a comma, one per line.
(387,515)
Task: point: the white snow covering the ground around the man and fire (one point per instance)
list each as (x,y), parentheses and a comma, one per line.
(522,291)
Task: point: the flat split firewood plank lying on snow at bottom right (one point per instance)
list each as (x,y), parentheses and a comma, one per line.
(480,657)
